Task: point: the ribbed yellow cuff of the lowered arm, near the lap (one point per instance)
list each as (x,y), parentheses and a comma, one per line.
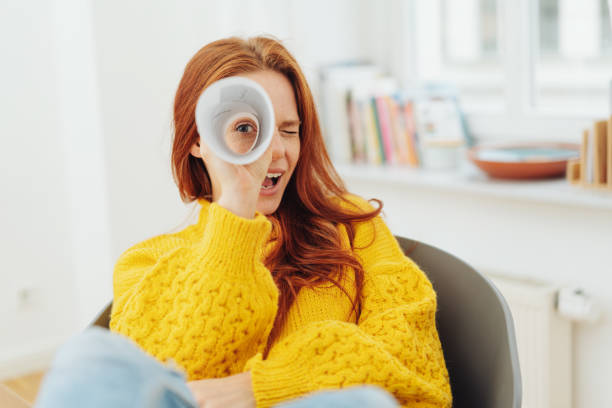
(278,381)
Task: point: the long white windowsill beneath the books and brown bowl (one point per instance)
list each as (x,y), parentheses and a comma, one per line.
(470,180)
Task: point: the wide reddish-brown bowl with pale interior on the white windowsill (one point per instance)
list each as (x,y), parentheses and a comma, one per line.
(524,160)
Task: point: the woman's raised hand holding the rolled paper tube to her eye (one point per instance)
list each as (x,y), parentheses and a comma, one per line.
(236,187)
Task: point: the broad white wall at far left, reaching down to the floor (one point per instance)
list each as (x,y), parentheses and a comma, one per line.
(52,249)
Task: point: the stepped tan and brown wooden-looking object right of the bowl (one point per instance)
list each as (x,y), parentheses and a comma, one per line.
(594,167)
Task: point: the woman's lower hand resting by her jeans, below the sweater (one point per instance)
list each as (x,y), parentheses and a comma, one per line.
(235,391)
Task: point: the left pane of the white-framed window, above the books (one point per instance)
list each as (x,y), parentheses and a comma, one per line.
(458,41)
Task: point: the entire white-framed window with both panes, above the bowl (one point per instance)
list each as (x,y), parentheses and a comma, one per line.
(522,67)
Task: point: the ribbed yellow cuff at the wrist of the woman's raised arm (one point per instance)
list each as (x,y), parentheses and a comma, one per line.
(233,242)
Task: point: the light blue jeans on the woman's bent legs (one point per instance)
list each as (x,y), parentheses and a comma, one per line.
(99,368)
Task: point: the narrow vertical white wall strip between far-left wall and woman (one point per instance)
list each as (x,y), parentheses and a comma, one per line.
(81,136)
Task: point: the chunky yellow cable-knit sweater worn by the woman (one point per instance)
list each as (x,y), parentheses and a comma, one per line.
(203,298)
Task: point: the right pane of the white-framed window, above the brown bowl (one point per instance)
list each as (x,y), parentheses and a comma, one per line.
(573,64)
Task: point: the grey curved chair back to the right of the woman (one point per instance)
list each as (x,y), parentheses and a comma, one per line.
(475,327)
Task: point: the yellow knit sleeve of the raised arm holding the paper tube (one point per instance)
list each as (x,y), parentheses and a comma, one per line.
(208,304)
